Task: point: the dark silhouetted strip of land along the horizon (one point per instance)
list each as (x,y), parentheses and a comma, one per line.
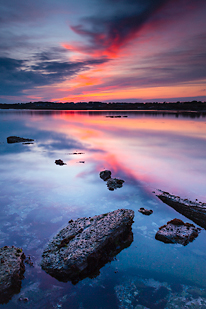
(198,106)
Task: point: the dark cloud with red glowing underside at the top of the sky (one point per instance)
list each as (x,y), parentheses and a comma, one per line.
(119,24)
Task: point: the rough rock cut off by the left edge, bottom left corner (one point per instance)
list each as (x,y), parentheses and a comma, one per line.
(11,272)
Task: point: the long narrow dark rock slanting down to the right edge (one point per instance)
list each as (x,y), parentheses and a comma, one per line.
(195,211)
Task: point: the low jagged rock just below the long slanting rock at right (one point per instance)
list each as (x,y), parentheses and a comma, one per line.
(176,231)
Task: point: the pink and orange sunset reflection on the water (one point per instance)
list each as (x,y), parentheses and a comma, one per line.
(154,152)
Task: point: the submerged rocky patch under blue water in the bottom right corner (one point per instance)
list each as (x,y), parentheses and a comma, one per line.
(139,293)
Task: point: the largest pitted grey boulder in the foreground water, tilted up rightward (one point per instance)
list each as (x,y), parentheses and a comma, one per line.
(86,244)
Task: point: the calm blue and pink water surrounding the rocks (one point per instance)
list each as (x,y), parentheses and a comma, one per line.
(149,151)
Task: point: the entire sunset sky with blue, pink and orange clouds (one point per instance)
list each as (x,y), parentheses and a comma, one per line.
(102,50)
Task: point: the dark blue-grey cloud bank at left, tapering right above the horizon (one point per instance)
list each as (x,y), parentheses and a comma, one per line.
(18,75)
